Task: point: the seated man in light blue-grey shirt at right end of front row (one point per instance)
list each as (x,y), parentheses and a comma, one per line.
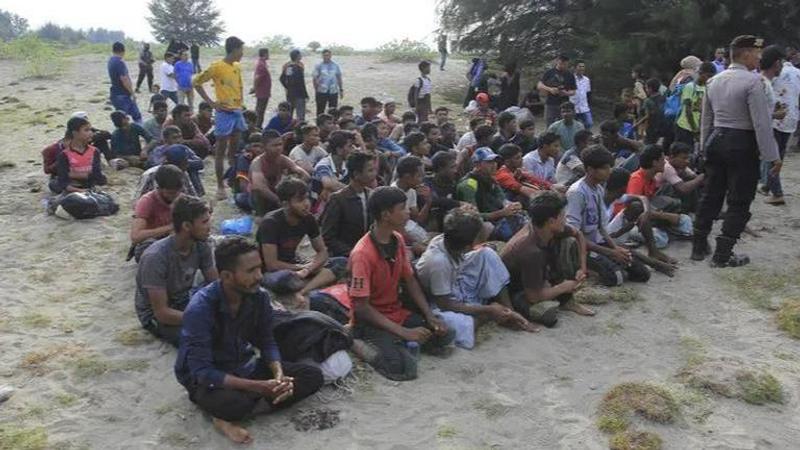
(586,211)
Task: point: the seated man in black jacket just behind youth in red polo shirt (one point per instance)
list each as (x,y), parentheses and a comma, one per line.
(346,217)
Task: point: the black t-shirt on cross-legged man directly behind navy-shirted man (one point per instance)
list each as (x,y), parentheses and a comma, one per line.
(275,229)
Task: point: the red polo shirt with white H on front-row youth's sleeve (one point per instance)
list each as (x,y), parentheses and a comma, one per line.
(374,277)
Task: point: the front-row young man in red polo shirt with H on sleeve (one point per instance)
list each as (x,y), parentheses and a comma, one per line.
(377,264)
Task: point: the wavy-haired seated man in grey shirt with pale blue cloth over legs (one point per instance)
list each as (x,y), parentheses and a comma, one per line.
(467,282)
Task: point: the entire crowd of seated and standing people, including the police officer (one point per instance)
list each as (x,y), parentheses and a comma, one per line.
(418,234)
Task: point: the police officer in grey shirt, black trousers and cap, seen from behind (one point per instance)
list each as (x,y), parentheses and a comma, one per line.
(736,130)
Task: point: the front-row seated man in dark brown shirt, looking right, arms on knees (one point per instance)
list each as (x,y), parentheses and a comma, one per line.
(546,260)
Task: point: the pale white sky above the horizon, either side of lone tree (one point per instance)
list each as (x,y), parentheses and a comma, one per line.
(361,24)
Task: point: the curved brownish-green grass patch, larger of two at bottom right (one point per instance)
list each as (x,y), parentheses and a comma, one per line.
(625,400)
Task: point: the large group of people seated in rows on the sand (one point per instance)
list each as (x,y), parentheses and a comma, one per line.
(417,237)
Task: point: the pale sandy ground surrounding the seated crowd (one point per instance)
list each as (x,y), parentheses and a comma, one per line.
(87,376)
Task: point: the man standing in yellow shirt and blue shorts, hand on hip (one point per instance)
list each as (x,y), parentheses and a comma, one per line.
(229,121)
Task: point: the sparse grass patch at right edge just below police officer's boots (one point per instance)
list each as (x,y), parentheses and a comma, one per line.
(758,286)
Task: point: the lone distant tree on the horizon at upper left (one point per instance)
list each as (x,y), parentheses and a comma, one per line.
(190,21)
